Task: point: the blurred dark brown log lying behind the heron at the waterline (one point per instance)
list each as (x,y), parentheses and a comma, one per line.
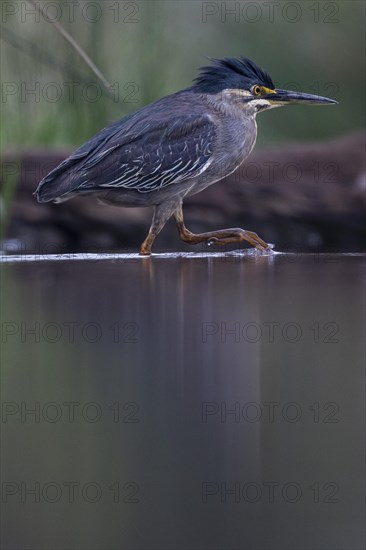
(304,197)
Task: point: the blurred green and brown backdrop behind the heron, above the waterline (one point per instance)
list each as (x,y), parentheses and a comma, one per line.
(303,187)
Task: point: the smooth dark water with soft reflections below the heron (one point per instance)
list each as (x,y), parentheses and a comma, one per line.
(184,404)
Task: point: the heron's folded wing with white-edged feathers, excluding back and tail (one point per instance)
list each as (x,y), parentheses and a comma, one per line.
(162,154)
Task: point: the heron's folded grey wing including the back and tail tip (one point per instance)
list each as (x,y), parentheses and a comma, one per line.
(138,152)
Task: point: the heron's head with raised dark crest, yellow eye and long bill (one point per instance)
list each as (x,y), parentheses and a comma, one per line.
(243,81)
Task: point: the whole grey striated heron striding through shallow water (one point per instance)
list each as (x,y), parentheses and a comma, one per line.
(176,147)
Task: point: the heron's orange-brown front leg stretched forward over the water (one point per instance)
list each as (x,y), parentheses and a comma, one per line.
(220,237)
